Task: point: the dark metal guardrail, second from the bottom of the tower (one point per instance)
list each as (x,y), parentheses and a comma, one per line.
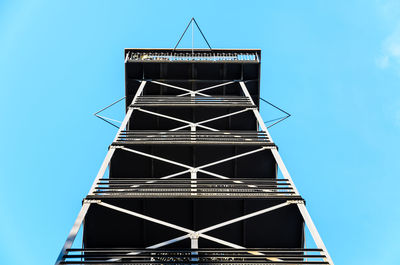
(200,187)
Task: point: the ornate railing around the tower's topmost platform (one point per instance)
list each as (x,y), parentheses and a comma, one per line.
(190,57)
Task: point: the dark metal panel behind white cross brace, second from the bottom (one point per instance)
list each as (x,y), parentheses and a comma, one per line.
(257,165)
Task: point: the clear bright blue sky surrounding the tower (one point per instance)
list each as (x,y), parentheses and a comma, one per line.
(334,65)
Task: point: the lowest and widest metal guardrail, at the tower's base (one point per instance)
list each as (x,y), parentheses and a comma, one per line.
(284,256)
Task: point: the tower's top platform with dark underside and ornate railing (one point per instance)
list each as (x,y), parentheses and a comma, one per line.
(192,69)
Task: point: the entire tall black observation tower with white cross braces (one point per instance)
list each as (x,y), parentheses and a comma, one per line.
(192,171)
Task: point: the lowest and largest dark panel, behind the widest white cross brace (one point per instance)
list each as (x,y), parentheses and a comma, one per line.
(108,228)
